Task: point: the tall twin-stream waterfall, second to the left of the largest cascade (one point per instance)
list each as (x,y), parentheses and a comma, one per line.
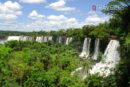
(86,48)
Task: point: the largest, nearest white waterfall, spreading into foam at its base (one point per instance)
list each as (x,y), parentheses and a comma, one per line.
(111,58)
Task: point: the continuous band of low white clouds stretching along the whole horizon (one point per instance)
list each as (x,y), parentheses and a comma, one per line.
(52,22)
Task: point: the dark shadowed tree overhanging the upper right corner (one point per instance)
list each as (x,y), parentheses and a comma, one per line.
(120,11)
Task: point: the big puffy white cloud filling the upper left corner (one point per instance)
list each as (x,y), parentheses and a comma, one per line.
(9,11)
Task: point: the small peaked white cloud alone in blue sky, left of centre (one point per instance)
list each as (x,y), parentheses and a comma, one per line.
(35,15)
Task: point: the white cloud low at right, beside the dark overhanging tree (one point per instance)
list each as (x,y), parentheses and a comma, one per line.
(94,19)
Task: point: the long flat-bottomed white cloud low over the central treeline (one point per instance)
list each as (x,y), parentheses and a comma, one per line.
(52,22)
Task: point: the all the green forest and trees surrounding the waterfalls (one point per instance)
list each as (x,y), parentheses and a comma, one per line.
(32,64)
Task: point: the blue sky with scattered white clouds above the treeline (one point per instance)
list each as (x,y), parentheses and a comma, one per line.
(46,15)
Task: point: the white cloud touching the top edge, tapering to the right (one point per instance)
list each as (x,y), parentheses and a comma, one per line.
(60,5)
